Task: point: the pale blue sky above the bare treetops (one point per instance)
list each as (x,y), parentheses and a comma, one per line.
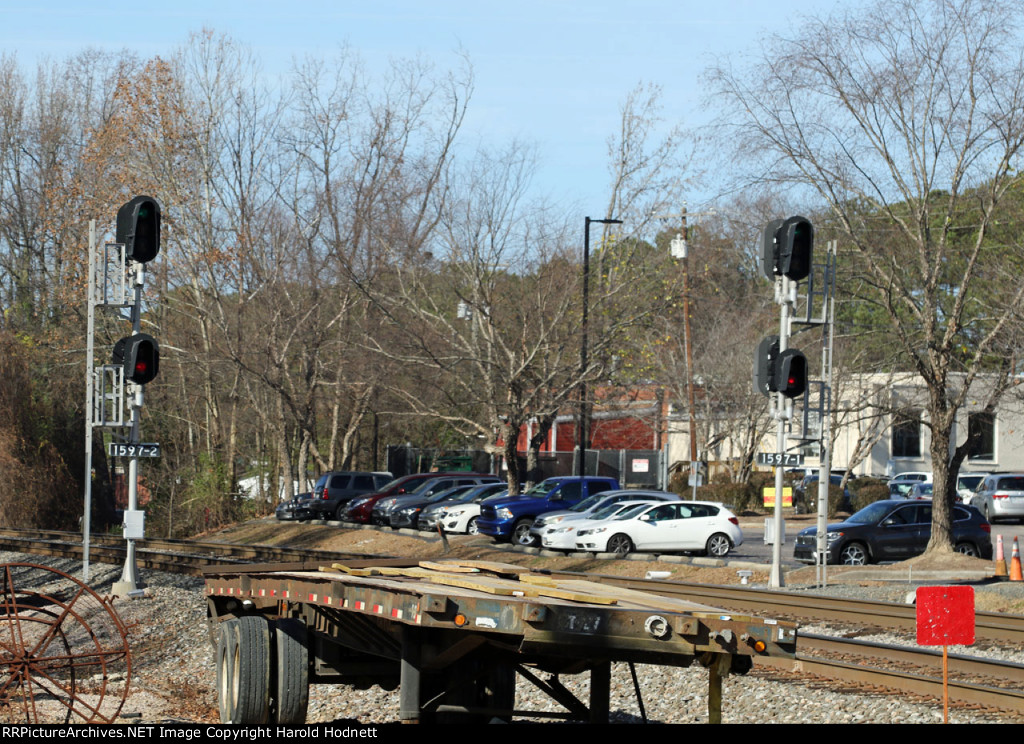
(552,73)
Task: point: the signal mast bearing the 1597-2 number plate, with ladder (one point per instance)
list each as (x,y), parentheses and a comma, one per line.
(115,391)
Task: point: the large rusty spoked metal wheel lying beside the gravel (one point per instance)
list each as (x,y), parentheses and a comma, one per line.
(64,651)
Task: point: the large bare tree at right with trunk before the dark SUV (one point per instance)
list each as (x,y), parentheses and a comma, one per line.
(906,123)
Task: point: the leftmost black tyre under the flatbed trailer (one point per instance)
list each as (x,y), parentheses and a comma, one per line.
(244,671)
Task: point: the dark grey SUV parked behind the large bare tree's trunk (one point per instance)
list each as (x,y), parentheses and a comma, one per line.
(894,531)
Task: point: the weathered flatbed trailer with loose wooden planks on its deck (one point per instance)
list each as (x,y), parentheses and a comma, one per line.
(452,637)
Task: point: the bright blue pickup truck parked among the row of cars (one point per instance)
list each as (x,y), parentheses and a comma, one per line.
(511,518)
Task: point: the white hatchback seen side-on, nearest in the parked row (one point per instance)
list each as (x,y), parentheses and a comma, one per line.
(704,527)
